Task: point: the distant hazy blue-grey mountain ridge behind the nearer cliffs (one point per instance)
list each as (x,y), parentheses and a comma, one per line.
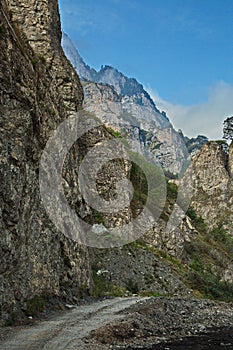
(123,104)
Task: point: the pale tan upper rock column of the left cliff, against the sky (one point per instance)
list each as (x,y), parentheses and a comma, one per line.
(40,22)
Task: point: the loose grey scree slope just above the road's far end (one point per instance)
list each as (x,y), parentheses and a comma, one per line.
(138,270)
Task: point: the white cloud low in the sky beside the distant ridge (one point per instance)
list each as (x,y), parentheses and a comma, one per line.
(204,118)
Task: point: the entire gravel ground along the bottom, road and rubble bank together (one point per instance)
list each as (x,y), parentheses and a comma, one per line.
(131,323)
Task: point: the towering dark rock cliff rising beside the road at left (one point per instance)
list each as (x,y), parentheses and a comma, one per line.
(39,88)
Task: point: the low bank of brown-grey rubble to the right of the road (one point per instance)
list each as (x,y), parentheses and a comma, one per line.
(161,320)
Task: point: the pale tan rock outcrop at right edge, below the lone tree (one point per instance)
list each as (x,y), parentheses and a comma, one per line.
(212,186)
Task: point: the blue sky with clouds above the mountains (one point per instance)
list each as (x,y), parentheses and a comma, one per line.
(180,50)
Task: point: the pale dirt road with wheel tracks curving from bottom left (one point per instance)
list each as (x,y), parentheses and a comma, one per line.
(68,330)
